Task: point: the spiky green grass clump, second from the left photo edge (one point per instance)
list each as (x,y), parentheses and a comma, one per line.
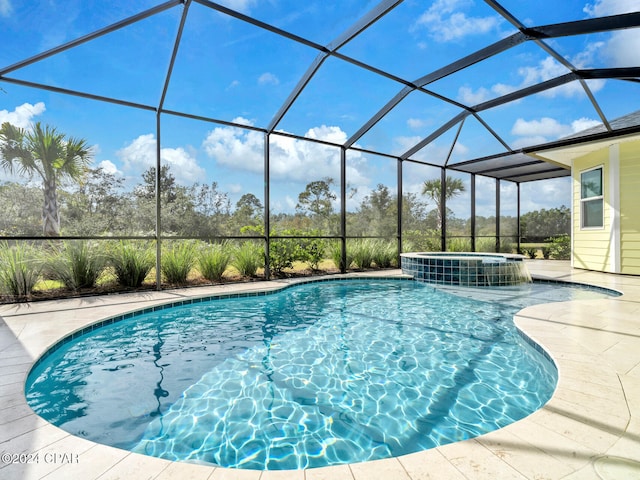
(78,264)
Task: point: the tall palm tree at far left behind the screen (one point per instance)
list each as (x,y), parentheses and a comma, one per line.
(48,154)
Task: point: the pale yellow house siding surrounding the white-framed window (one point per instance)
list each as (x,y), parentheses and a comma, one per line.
(591,246)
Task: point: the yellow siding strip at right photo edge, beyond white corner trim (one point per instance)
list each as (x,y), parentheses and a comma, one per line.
(629,207)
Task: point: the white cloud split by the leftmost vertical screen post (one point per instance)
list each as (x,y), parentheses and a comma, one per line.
(140,154)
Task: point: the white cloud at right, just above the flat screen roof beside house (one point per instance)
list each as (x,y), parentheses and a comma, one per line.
(534,132)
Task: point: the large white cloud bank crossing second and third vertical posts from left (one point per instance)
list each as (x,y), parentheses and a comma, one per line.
(290,158)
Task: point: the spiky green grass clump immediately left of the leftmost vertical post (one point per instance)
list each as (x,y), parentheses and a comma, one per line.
(131,263)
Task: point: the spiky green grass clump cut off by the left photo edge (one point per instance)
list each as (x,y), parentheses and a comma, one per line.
(19,270)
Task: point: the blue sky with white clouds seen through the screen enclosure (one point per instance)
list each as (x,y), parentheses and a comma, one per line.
(235,72)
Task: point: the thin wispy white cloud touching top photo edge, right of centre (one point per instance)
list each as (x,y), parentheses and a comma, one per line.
(445,21)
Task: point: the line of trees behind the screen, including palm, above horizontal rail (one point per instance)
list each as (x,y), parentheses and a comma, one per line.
(63,195)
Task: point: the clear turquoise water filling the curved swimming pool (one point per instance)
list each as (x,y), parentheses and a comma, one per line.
(317,374)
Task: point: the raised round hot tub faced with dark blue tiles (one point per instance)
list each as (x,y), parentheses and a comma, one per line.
(467,269)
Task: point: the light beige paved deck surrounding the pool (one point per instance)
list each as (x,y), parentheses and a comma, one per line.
(590,429)
